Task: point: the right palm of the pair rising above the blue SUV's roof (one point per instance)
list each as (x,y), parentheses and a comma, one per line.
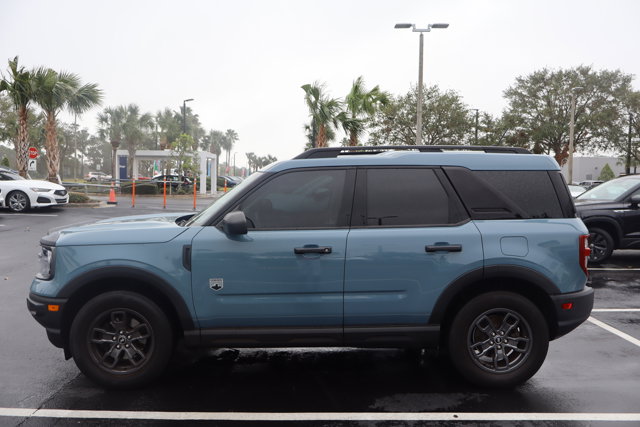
(360,105)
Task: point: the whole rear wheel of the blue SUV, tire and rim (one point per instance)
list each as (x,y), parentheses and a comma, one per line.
(482,336)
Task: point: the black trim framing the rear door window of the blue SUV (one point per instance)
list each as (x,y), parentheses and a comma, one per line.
(360,195)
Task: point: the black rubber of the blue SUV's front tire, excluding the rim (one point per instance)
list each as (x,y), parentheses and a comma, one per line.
(162,339)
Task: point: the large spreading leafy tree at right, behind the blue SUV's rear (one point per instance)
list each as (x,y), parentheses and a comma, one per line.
(541,102)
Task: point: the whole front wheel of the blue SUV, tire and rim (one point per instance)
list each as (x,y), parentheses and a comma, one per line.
(121,340)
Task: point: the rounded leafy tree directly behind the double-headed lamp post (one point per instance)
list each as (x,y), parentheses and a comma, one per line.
(445,119)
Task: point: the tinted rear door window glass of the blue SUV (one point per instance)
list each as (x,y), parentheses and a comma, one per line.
(406,197)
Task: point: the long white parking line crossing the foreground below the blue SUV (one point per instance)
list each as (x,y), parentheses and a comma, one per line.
(320,416)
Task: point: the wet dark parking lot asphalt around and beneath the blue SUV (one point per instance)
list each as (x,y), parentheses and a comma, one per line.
(590,377)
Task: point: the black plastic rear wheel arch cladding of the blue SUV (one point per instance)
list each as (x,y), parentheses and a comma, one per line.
(520,280)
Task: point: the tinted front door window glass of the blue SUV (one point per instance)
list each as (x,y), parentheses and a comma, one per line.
(302,199)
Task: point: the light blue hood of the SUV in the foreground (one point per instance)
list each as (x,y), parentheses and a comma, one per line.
(120,231)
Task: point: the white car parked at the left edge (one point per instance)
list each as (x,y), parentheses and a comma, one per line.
(19,194)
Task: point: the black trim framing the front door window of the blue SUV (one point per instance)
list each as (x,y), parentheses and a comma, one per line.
(346,205)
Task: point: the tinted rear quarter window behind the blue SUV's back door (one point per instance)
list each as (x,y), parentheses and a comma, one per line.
(531,191)
